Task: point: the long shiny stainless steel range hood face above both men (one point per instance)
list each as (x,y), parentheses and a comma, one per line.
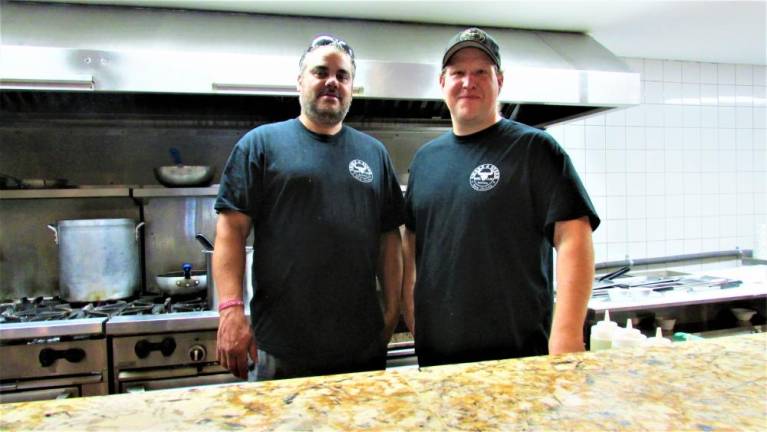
(550,76)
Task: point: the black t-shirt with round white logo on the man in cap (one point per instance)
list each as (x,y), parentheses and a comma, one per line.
(483,208)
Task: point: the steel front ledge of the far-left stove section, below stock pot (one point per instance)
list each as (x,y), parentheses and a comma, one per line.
(47,329)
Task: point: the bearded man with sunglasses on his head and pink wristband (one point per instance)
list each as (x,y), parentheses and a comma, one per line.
(325,207)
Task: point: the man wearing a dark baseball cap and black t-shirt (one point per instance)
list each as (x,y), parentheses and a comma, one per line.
(485,204)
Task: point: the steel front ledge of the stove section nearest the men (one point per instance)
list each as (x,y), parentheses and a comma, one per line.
(176,322)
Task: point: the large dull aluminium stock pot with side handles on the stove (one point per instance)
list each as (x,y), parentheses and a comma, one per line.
(98,259)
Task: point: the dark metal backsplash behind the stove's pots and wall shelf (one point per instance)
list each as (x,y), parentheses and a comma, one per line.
(124,152)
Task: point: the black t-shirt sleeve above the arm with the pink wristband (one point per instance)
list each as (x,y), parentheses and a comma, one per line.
(241,187)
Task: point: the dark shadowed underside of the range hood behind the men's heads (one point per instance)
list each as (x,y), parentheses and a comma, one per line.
(206,110)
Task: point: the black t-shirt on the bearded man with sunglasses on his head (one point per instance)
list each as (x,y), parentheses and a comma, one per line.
(319,204)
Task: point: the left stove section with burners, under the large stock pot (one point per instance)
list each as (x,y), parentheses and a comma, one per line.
(50,350)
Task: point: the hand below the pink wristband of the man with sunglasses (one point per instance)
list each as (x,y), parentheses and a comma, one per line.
(235,341)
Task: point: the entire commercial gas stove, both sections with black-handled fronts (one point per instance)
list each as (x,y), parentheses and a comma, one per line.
(52,349)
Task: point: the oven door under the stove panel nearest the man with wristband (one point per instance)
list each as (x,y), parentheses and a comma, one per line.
(166,378)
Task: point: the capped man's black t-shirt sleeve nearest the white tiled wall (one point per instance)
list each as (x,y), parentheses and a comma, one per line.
(560,195)
